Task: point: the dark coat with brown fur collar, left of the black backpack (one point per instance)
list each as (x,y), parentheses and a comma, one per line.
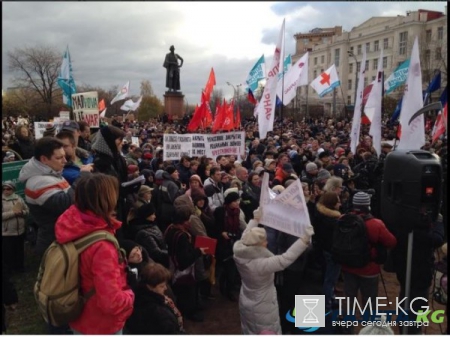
(324,223)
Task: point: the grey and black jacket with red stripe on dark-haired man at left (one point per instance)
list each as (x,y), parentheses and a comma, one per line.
(48,195)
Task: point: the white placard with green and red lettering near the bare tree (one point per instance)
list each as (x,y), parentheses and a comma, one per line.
(85,108)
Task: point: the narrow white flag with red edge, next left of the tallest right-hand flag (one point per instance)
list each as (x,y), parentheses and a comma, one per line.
(373,106)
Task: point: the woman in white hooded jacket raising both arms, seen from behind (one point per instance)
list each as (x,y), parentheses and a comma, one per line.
(258,305)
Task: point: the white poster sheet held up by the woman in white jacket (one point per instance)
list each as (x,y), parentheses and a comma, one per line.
(287,211)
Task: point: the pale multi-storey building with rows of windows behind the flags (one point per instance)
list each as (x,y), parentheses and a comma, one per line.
(394,35)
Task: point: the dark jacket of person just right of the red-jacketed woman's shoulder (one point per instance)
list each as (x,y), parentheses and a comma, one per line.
(151,238)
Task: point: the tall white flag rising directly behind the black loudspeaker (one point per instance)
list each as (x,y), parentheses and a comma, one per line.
(412,135)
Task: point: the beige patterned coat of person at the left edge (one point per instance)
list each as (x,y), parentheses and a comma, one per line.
(13,225)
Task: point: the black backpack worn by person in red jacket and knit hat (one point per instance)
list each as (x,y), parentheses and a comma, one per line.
(351,245)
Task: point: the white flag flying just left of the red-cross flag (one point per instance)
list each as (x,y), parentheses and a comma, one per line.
(296,76)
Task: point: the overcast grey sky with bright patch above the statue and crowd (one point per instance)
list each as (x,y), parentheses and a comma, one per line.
(113,42)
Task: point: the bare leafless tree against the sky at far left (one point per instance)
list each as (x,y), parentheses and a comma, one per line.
(37,69)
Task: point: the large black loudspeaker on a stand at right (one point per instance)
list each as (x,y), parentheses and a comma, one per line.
(411,191)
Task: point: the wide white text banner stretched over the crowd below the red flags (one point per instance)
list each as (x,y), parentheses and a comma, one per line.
(197,145)
